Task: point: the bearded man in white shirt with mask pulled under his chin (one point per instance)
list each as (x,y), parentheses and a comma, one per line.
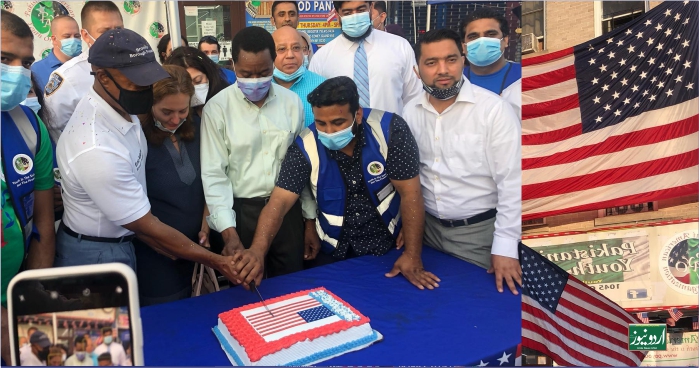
(469,140)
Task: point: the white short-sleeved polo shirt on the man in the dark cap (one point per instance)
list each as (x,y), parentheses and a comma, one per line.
(102,158)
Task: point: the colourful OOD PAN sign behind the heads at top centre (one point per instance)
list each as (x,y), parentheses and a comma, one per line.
(313,19)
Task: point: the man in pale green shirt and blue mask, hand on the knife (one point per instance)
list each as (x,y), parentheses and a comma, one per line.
(246,130)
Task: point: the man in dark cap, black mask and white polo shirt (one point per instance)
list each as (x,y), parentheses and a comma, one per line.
(102,156)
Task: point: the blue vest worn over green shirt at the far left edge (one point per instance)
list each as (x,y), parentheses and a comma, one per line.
(21,140)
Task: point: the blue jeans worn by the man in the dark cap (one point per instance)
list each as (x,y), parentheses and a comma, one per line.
(73,252)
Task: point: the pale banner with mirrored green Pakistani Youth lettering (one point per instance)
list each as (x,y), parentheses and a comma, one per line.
(636,268)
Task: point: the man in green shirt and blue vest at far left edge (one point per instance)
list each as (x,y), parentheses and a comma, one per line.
(27,159)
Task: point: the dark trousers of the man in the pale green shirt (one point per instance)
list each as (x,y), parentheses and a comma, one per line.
(285,255)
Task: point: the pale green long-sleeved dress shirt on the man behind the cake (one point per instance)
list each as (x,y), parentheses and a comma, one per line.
(242,147)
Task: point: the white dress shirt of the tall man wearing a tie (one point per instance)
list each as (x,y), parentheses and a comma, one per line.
(392,81)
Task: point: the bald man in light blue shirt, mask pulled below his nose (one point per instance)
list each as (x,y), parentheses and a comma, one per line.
(289,71)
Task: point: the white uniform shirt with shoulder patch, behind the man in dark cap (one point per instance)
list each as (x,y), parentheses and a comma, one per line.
(68,85)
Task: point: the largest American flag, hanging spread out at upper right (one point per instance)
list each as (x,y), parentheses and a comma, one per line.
(613,121)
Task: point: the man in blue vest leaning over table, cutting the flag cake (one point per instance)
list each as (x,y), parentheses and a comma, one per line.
(362,166)
